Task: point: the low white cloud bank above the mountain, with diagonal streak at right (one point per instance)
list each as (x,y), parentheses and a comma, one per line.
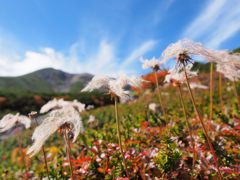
(102,61)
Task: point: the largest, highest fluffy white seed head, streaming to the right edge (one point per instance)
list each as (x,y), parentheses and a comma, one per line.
(227,64)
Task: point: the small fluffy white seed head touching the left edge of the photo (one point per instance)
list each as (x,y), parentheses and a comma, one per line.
(10,120)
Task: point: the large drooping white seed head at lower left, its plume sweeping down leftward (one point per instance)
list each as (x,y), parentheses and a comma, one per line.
(53,121)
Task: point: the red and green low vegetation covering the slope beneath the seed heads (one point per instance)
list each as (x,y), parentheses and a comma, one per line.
(153,146)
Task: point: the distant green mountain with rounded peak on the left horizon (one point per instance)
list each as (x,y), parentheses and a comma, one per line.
(47,80)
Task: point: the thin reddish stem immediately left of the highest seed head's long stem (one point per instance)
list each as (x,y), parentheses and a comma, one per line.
(188,126)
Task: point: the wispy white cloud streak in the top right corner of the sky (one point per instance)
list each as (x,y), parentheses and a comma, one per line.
(216,22)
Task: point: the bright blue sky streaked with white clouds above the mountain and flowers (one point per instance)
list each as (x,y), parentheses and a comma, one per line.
(110,36)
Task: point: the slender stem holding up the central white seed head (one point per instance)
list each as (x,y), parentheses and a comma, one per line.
(119,137)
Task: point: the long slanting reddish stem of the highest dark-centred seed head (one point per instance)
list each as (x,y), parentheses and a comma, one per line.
(203,126)
